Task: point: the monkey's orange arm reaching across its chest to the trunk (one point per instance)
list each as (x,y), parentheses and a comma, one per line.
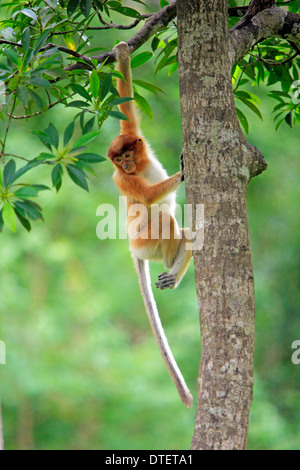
(147,194)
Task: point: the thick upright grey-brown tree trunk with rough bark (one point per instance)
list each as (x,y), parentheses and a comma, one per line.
(218,166)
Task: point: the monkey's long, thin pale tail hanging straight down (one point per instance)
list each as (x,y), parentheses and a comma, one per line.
(142,268)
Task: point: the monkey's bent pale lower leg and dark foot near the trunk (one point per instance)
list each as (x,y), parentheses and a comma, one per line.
(181,262)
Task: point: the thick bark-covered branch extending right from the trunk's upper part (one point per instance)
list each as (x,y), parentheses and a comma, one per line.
(272,22)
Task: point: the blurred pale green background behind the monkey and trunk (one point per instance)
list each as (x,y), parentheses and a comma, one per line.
(83,370)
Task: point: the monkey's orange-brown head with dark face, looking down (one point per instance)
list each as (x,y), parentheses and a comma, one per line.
(127,153)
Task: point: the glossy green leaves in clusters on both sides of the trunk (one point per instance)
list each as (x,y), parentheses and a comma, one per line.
(46,60)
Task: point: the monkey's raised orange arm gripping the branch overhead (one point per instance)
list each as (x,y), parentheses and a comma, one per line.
(125,90)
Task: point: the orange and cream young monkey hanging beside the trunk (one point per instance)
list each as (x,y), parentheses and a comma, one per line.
(142,179)
